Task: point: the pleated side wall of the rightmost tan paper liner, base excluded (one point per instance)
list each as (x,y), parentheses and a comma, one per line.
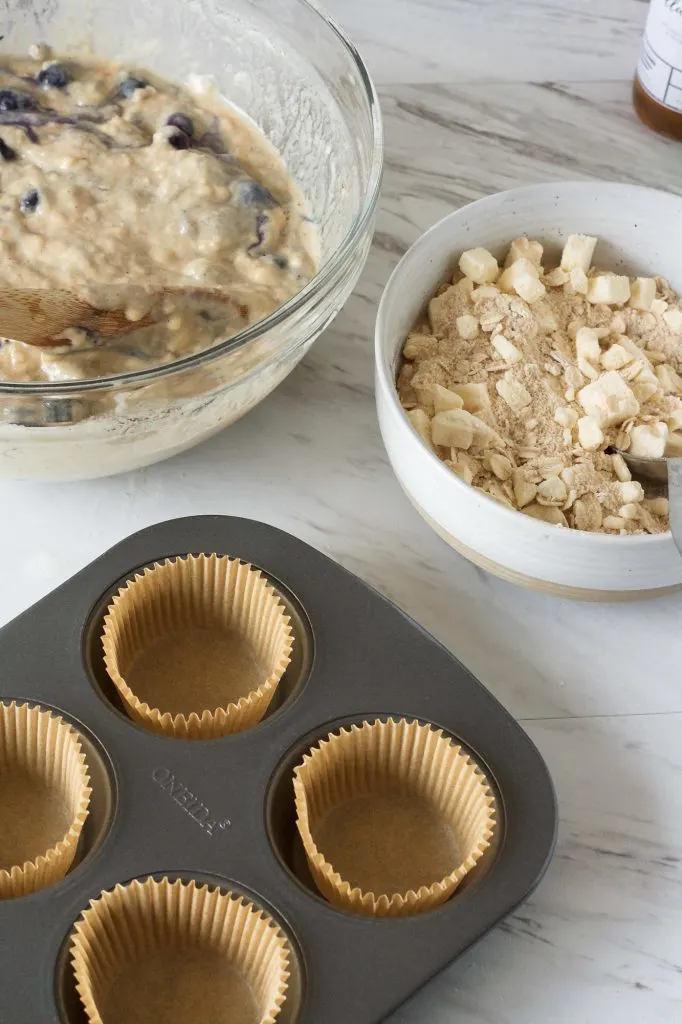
(394,756)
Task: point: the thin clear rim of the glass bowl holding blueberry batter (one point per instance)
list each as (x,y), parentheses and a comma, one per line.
(282,313)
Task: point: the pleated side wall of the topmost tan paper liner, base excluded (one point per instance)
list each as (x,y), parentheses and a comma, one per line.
(199,592)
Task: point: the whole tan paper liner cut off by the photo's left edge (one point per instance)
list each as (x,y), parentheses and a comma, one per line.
(45,798)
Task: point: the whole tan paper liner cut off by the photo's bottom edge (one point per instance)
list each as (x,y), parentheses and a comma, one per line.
(179,953)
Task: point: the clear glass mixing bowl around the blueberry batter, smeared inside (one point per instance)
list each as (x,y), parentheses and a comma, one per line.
(291,70)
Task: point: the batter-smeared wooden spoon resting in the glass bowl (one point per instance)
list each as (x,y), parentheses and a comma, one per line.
(38,317)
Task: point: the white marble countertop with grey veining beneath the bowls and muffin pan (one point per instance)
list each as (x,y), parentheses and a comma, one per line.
(478,97)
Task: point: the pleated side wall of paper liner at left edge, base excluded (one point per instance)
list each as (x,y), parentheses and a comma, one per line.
(39,745)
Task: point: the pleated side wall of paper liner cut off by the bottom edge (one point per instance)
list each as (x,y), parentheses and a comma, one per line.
(133,921)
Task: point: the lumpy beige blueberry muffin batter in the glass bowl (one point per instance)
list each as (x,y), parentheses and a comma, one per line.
(116,186)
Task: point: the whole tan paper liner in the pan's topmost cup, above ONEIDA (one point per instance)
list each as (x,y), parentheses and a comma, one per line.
(197,647)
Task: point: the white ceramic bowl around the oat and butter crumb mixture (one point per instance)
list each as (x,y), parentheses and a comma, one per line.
(640,232)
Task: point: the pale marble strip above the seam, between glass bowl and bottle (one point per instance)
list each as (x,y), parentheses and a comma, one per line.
(498,40)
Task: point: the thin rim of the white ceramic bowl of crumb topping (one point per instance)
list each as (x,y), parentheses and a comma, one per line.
(387,379)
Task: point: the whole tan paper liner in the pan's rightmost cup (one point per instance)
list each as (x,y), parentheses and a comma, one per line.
(393,817)
